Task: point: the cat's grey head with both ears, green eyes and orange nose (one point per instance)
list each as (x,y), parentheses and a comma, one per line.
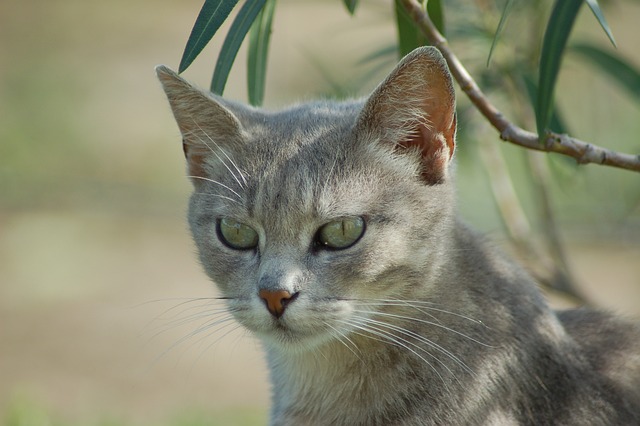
(311,218)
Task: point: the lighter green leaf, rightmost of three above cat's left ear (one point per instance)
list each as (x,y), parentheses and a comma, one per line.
(257,56)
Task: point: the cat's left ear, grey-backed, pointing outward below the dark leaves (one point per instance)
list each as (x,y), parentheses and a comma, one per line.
(204,123)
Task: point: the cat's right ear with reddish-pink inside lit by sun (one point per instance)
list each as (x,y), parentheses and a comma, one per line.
(414,108)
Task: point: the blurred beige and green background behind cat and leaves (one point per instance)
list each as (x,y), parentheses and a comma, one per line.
(93,244)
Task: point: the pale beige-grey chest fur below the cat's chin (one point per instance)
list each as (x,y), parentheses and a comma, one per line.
(352,390)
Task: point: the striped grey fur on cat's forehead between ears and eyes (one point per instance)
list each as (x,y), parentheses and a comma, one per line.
(308,163)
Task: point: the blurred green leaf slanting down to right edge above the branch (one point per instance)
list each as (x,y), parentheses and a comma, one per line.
(615,66)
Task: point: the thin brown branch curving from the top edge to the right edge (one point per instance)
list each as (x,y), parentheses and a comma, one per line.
(583,152)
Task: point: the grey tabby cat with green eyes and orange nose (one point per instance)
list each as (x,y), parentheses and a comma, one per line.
(330,229)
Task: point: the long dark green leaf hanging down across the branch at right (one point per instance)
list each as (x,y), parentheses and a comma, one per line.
(555,39)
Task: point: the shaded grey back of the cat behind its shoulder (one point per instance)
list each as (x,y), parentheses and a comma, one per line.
(611,346)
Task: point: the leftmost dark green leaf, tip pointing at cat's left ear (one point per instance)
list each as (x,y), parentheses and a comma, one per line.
(209,20)
